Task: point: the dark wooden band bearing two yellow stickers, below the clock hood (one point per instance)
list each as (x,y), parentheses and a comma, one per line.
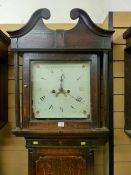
(65,142)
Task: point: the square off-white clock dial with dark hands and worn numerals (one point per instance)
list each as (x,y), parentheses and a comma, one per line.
(60,90)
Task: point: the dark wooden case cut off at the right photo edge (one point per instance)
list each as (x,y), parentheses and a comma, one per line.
(127,36)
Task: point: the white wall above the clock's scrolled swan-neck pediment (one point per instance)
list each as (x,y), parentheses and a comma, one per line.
(19,11)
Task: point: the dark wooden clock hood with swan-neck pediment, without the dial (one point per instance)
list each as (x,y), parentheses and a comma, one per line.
(35,41)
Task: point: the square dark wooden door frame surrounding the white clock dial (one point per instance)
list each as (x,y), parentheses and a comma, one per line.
(94,84)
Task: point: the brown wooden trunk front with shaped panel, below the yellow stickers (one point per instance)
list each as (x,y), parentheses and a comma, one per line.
(57,161)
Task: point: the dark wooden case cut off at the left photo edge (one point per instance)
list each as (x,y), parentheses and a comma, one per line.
(4,42)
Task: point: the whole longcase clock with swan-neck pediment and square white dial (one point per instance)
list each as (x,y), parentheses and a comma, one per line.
(65,93)
